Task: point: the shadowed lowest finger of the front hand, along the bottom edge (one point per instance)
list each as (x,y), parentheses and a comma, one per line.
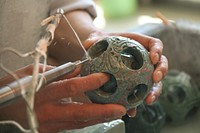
(60,126)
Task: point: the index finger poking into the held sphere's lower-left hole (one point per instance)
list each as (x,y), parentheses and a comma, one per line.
(72,87)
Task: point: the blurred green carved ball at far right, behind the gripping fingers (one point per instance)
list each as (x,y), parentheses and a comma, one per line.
(180,97)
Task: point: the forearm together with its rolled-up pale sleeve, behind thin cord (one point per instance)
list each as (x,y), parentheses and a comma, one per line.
(80,14)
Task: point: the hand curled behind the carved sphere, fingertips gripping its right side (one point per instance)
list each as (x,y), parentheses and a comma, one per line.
(155,47)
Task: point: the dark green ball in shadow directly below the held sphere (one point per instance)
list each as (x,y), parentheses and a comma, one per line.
(149,119)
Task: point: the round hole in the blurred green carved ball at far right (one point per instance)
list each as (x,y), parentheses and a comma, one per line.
(176,94)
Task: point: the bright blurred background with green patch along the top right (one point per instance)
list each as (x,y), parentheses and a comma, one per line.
(123,15)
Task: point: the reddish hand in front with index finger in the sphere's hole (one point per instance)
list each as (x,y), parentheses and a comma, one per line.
(55,114)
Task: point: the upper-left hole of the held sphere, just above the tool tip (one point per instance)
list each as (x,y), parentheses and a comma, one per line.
(98,49)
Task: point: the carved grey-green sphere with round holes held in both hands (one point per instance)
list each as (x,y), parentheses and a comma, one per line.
(130,69)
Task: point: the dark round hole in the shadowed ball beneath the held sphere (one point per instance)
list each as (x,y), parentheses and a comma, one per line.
(149,114)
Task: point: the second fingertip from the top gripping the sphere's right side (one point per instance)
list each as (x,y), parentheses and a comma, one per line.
(161,69)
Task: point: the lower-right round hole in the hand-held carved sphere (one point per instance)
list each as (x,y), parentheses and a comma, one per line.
(138,93)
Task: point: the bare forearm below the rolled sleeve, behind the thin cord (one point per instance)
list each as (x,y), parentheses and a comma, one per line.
(66,47)
